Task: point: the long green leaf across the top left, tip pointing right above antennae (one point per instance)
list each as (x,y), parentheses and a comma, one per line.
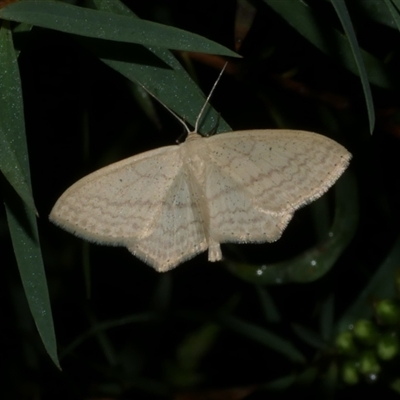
(109,26)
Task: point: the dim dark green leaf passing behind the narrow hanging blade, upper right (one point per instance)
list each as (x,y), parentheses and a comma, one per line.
(309,24)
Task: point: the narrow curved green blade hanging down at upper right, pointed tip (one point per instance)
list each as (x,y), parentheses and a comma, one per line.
(344,17)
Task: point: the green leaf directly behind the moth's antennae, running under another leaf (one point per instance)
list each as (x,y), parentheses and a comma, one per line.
(158,71)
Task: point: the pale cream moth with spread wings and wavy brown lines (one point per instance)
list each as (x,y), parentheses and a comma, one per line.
(169,204)
